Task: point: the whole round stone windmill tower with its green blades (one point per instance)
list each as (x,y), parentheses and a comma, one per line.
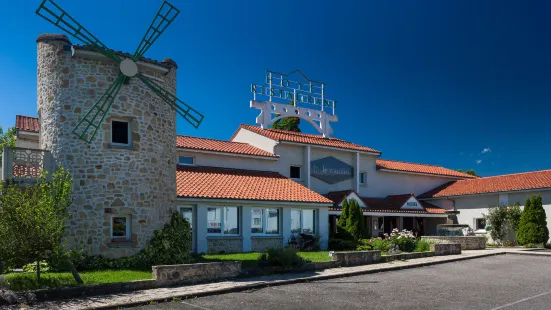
(124,171)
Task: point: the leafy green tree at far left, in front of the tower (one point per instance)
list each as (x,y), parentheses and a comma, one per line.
(33,219)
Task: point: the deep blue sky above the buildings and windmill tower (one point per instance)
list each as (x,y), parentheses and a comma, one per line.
(462,84)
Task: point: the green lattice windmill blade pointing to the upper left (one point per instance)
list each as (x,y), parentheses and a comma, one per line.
(53,13)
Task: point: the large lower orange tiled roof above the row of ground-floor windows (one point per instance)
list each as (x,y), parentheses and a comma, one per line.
(240,184)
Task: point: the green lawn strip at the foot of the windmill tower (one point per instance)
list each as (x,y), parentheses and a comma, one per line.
(27,281)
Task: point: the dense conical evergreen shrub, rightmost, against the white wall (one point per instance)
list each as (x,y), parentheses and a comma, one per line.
(533,223)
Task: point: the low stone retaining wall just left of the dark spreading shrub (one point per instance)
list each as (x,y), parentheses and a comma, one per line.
(193,273)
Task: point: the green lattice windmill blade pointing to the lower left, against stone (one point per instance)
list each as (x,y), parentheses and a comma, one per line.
(94,118)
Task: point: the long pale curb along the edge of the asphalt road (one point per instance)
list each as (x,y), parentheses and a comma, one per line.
(294,281)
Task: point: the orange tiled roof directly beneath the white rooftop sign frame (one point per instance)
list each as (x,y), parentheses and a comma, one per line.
(304,138)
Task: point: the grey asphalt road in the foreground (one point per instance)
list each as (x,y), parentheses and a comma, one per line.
(499,282)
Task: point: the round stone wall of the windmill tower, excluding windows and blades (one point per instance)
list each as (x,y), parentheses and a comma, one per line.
(108,180)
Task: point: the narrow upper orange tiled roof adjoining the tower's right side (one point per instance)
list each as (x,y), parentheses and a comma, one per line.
(220,146)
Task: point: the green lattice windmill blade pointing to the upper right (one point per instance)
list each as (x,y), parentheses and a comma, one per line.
(165,16)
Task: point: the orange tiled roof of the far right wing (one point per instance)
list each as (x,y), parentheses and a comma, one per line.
(500,183)
